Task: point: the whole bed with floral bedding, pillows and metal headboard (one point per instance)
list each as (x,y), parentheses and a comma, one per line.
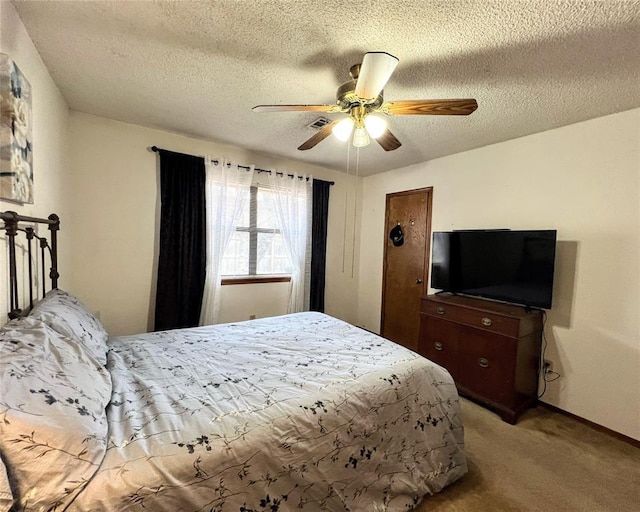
(297,412)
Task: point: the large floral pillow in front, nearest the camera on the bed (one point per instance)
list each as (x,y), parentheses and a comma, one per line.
(53,424)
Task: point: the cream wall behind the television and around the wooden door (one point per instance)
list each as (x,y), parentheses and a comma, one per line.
(584,181)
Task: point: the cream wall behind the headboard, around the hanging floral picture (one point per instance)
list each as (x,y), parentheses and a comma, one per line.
(50,115)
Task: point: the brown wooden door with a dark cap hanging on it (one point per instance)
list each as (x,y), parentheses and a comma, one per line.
(405,268)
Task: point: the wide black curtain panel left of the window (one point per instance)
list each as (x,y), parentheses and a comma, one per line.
(182,256)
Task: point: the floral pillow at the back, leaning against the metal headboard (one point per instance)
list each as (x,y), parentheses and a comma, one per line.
(70,317)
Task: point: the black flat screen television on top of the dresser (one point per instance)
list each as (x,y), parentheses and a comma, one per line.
(503,265)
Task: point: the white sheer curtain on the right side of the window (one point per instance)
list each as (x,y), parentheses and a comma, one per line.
(292,198)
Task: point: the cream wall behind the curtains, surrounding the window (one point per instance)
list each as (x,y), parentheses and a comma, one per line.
(114,198)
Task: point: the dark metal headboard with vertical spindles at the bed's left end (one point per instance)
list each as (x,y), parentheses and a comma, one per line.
(13,224)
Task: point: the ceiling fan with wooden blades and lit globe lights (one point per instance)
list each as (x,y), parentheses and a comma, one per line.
(362,100)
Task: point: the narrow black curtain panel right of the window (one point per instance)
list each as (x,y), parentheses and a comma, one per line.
(319,243)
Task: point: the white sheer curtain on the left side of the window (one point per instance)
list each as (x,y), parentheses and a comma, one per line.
(227,192)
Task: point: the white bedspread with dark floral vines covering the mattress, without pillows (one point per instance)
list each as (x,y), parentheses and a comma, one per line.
(299,412)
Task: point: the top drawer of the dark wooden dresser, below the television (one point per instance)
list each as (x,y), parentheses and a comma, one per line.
(486,320)
